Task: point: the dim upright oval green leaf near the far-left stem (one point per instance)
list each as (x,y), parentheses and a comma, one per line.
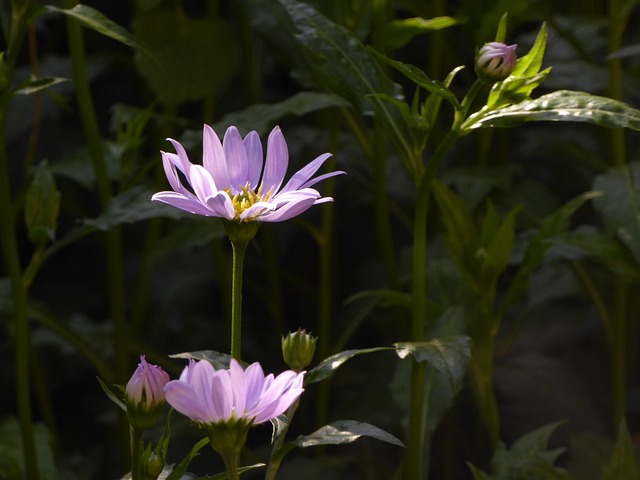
(42,205)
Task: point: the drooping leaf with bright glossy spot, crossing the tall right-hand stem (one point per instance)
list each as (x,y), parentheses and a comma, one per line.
(449,355)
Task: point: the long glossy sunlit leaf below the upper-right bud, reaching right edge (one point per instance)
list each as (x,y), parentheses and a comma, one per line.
(561,106)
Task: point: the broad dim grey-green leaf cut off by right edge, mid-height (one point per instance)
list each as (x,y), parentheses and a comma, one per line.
(620,205)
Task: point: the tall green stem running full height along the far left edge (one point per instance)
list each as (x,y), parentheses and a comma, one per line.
(9,246)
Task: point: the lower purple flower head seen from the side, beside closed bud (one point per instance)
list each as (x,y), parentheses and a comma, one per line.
(212,397)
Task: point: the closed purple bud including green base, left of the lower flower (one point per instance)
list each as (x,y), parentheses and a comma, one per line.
(145,394)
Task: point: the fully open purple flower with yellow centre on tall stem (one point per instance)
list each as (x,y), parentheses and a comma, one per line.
(233,184)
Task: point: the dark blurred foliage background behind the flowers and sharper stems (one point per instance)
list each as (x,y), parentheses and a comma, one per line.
(111,275)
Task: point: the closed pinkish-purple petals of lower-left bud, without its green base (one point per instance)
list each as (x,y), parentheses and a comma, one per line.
(145,388)
